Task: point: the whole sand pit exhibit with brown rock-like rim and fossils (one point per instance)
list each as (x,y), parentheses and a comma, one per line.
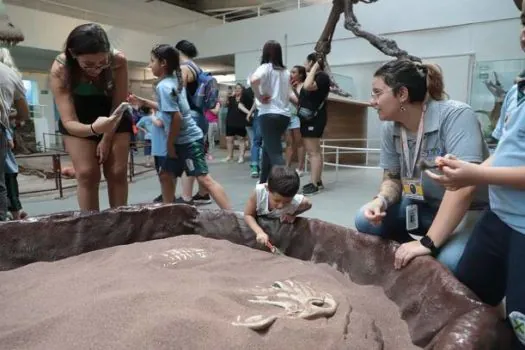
(116,284)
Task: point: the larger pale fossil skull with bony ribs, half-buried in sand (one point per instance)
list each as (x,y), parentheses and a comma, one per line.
(297,299)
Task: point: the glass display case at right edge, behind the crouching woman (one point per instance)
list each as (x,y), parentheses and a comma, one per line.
(491,80)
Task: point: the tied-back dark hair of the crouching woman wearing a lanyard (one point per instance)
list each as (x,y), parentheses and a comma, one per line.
(419,79)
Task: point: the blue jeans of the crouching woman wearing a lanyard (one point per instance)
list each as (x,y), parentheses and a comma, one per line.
(393,227)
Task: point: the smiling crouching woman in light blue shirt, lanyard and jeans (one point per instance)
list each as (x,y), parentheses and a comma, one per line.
(420,125)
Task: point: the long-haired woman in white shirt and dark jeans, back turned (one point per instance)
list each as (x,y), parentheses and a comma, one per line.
(272,90)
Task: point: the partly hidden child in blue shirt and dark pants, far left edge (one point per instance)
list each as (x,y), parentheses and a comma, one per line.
(11,182)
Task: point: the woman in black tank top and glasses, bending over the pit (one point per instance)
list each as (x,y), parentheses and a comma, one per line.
(89,81)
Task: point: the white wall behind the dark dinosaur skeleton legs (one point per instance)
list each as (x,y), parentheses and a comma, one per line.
(454,34)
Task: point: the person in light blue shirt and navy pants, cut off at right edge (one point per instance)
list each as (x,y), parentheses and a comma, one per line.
(494,259)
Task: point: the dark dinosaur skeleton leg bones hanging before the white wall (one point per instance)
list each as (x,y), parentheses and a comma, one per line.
(323,47)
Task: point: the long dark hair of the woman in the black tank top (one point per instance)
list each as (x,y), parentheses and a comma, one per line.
(89,38)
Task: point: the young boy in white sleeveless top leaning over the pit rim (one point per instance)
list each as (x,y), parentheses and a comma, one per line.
(276,199)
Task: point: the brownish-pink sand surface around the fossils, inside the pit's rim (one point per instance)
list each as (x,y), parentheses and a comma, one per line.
(186,293)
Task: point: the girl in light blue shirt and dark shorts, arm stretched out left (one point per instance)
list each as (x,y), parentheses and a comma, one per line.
(176,140)
